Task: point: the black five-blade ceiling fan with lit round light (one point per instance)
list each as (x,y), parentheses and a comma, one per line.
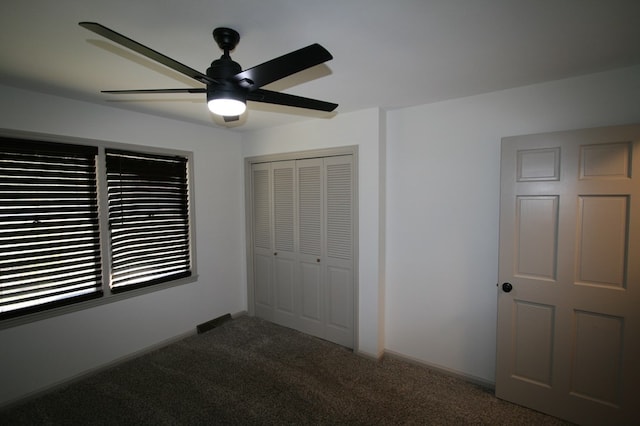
(227,86)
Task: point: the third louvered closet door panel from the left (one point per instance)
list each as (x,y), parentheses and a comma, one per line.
(311,233)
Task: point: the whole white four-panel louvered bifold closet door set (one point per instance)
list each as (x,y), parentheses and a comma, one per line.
(302,239)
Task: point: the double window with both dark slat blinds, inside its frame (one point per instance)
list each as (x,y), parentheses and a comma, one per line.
(56,237)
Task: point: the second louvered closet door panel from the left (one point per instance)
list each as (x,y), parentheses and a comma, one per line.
(285,251)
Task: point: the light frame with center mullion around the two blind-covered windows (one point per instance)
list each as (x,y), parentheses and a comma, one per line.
(108,295)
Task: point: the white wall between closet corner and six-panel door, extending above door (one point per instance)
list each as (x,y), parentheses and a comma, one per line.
(443,169)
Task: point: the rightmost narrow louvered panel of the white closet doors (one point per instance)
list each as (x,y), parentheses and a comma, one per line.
(338,264)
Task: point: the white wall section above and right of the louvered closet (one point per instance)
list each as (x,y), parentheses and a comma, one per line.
(361,128)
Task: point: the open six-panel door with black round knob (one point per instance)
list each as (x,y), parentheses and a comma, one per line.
(568,333)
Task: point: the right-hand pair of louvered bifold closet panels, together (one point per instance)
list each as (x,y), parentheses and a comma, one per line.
(325,229)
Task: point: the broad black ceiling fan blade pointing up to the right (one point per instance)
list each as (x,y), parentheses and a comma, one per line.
(283,66)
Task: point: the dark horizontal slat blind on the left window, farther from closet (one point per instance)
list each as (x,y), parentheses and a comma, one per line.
(49,232)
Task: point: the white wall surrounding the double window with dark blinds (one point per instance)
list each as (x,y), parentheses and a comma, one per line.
(37,355)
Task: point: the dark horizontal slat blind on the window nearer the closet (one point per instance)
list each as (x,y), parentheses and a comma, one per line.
(148,218)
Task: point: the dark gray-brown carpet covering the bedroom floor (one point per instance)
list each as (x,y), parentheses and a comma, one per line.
(251,372)
